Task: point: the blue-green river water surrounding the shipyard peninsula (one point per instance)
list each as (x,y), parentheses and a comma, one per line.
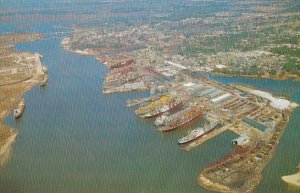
(72,138)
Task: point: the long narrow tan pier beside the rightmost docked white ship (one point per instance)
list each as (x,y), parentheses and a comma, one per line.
(205,138)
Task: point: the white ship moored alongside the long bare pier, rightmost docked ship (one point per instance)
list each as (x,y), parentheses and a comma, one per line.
(197,133)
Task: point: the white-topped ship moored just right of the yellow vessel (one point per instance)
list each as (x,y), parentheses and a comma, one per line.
(172,105)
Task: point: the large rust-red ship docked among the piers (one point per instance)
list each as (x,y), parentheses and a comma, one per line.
(183,119)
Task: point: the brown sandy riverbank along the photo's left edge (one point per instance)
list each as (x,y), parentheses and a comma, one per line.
(11,93)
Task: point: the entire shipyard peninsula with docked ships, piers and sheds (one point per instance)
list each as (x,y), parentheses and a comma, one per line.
(181,96)
